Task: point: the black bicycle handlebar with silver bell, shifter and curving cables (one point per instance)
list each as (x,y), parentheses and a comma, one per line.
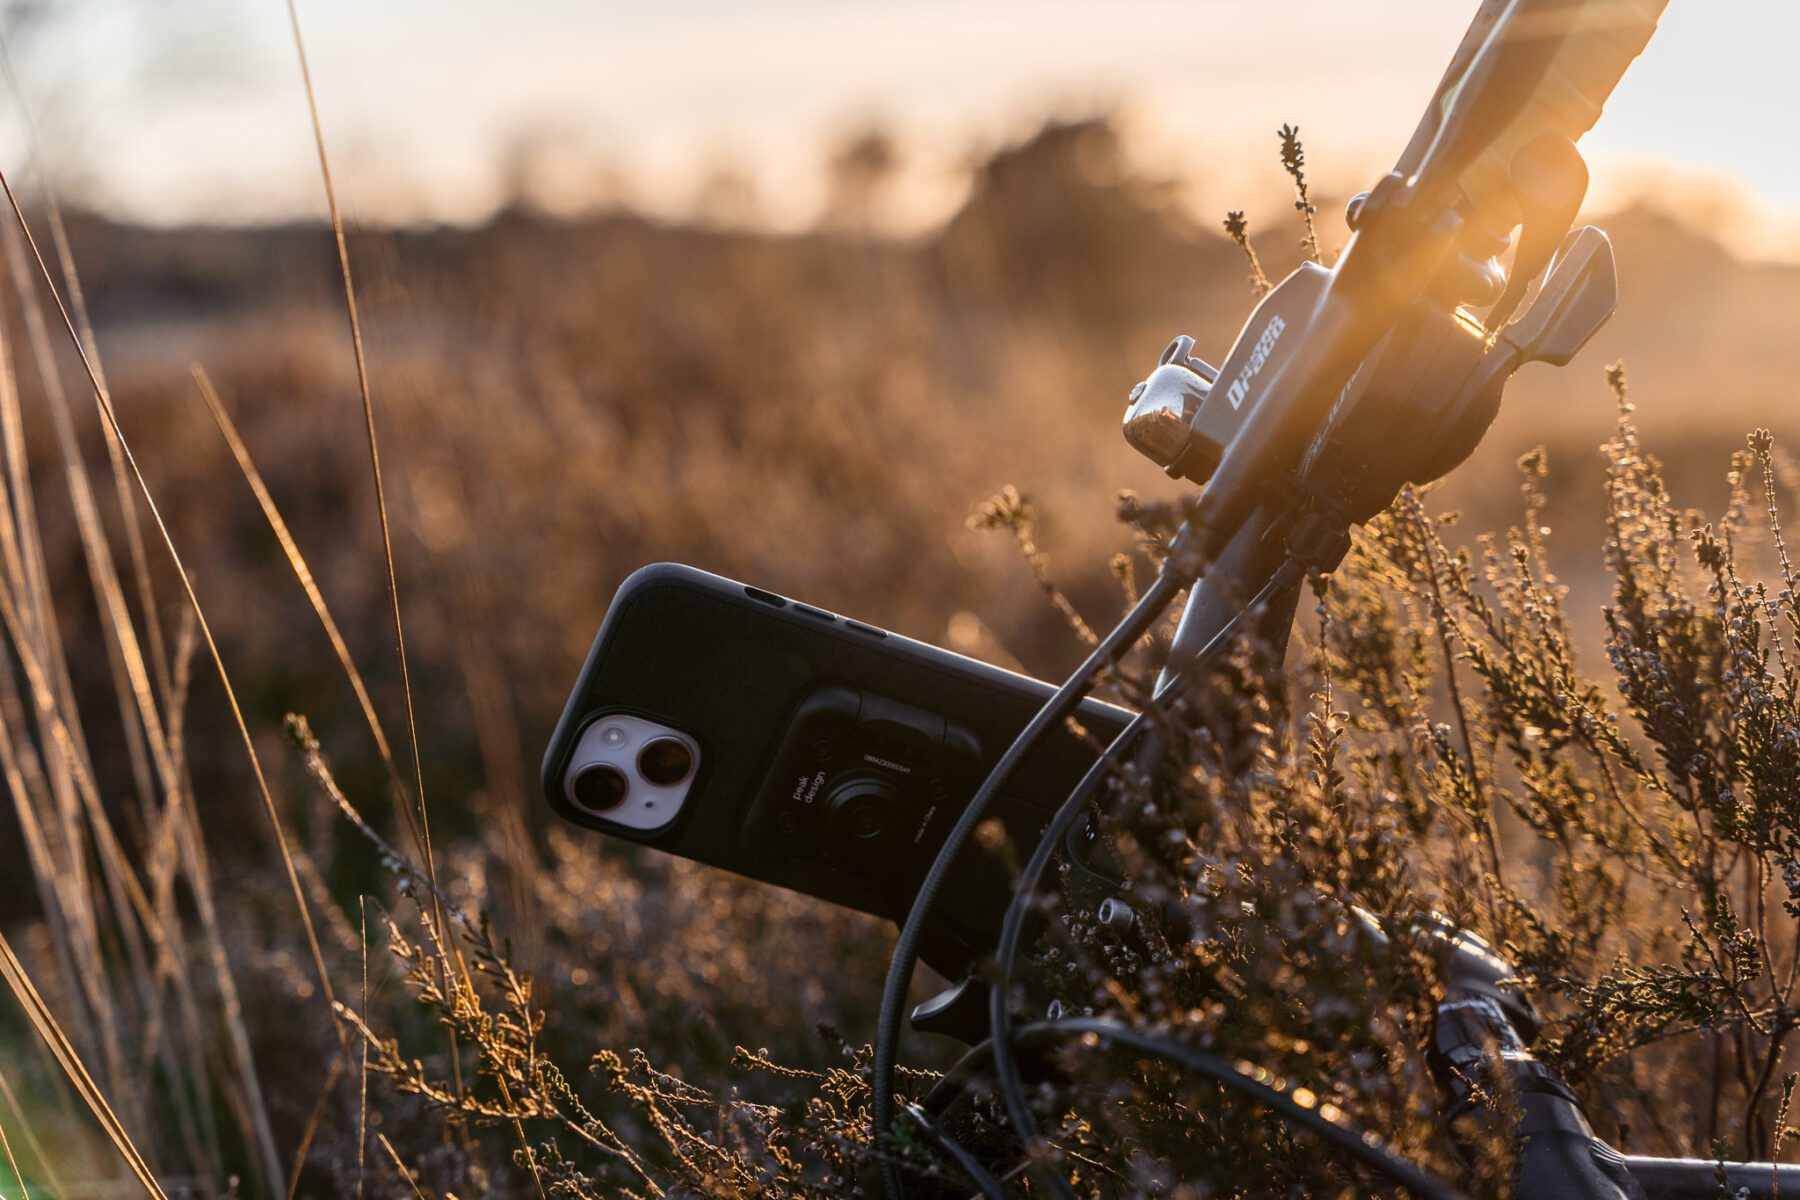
(1527,71)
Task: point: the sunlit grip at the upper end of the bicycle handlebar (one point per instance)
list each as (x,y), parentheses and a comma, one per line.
(1599,40)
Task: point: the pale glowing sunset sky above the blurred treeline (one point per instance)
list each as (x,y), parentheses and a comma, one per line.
(193,109)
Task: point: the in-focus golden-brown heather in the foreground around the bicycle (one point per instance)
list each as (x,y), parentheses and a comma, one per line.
(1435,748)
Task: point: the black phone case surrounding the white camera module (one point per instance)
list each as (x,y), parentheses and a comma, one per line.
(733,667)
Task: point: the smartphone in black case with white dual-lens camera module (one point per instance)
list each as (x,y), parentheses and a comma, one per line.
(791,746)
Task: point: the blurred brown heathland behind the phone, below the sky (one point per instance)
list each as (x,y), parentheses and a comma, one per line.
(564,400)
